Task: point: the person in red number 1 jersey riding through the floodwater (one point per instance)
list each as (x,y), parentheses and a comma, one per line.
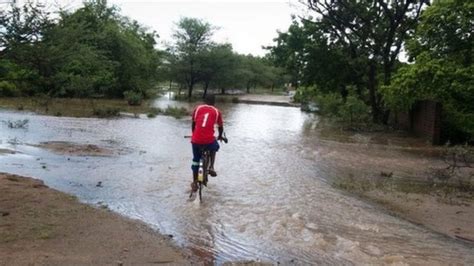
(205,117)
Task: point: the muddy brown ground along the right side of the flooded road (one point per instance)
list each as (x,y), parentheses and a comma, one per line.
(405,180)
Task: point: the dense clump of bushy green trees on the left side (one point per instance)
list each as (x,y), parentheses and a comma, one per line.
(91,52)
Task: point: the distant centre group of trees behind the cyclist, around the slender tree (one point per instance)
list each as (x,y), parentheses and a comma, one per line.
(195,59)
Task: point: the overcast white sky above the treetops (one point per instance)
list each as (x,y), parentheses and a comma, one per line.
(246,24)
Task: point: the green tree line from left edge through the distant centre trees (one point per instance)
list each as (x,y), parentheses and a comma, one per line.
(96,52)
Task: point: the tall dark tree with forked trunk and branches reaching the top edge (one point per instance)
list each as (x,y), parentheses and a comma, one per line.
(371,32)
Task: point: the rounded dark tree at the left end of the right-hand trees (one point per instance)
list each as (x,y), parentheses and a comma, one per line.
(307,54)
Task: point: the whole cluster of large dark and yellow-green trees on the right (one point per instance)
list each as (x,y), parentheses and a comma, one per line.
(353,50)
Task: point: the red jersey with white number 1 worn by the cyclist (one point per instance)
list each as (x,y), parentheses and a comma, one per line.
(205,117)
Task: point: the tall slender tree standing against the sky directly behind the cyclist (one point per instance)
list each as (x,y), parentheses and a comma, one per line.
(192,37)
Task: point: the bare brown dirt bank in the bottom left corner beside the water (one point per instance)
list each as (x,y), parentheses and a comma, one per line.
(39,225)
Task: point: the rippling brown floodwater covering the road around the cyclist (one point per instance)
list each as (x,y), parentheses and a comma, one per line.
(271,201)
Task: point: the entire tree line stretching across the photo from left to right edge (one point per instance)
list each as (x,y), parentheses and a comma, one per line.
(345,54)
